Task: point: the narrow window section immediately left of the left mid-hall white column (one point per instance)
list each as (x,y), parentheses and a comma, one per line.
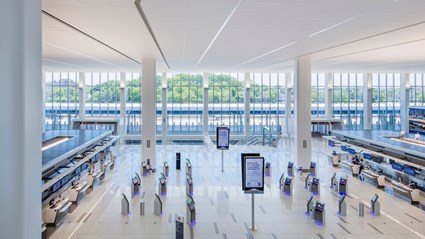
(133,107)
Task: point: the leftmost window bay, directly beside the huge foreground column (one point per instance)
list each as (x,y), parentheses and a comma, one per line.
(61,99)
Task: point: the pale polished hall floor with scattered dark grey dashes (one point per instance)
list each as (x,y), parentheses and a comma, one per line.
(224,211)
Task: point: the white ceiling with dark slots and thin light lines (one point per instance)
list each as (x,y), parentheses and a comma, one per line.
(237,35)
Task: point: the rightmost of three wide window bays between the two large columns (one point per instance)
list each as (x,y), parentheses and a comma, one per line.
(267,103)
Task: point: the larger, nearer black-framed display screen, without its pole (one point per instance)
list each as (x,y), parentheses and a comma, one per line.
(253,173)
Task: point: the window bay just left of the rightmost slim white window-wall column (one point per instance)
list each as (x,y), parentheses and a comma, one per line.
(386,101)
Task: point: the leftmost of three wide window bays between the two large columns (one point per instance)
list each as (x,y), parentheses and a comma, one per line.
(184,104)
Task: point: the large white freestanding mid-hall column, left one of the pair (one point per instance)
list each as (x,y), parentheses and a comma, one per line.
(149,111)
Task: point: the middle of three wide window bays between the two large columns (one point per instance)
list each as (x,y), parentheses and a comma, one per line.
(226,102)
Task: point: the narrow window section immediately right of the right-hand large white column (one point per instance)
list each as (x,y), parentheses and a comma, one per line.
(318,94)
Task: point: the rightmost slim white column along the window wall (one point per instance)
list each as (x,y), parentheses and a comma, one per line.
(404,102)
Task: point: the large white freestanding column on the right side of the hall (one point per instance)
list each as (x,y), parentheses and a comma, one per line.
(302,112)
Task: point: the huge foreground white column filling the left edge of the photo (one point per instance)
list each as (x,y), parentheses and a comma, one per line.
(20,103)
